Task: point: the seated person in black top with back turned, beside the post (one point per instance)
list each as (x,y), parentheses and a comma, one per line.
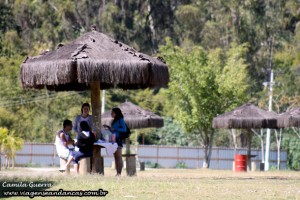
(85,142)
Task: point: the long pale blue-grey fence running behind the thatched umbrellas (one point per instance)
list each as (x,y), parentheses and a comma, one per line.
(44,154)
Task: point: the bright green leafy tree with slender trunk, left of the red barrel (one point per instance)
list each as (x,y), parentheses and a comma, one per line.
(204,85)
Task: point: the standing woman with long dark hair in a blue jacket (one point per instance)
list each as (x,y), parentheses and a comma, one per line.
(118,125)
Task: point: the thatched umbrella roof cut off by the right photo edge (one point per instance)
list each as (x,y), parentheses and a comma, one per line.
(290,118)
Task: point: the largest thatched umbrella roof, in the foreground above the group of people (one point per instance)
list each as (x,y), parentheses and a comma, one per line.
(93,56)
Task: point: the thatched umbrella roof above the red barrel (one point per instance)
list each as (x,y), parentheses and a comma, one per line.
(245,117)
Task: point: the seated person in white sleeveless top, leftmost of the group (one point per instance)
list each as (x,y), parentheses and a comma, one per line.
(63,139)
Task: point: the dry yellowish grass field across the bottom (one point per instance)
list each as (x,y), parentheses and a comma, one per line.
(169,184)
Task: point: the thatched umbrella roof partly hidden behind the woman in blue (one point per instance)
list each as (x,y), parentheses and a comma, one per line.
(135,117)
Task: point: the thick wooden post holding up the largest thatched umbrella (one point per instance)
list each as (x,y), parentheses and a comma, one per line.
(97,160)
